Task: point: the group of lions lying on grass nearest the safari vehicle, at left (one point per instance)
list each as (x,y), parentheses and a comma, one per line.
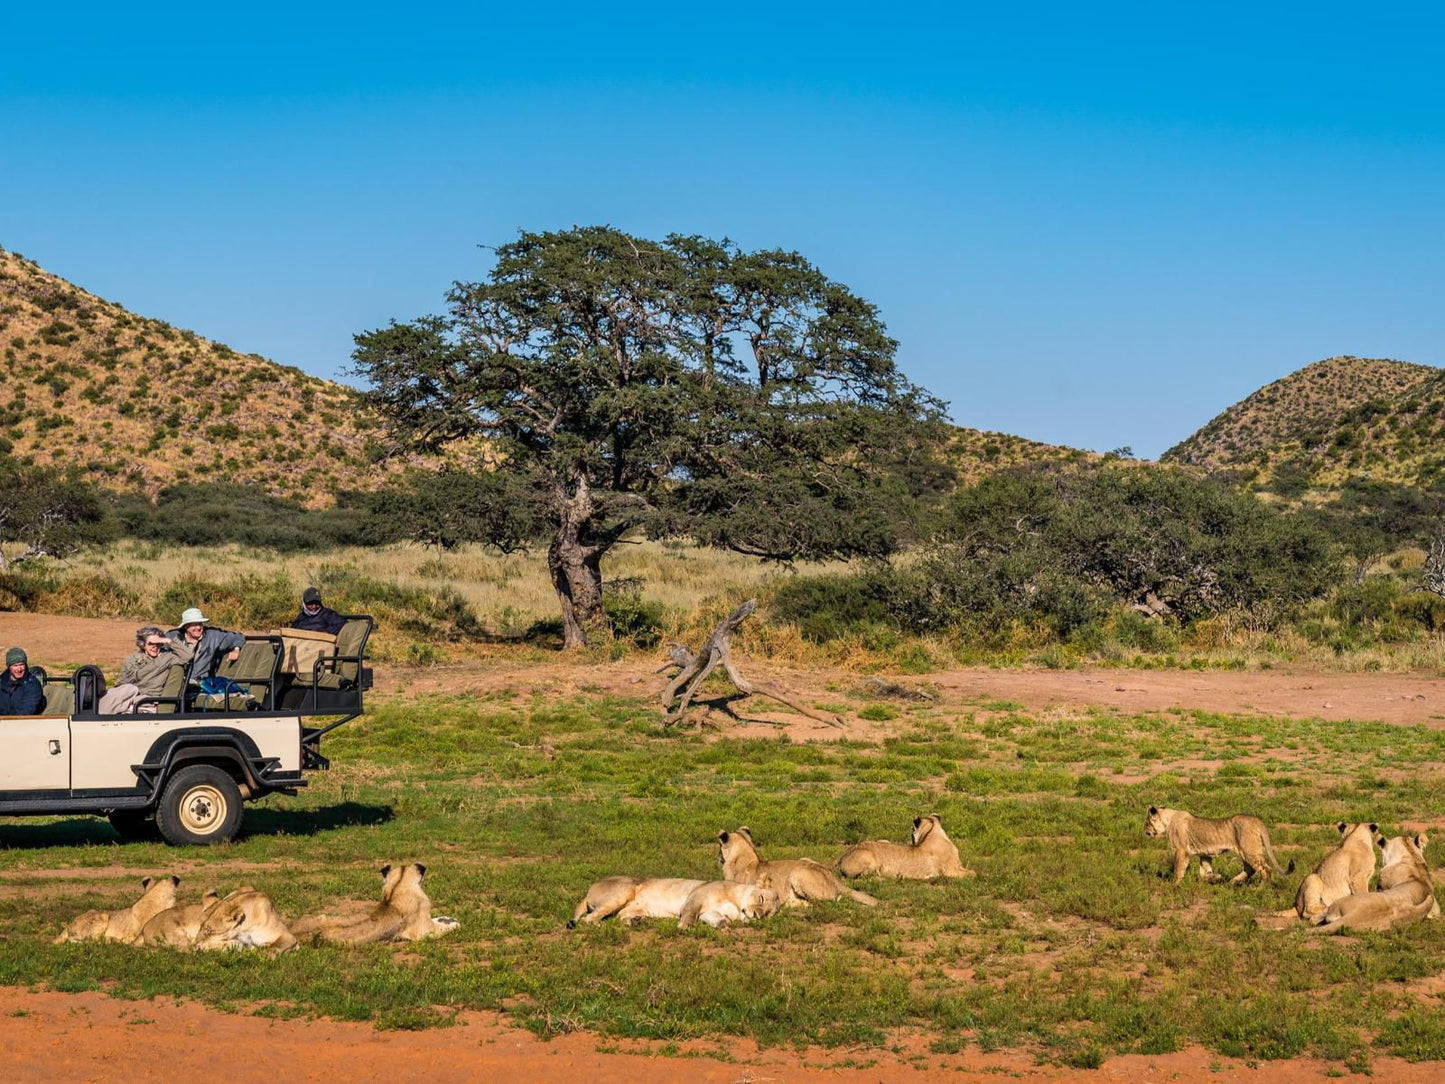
(248,919)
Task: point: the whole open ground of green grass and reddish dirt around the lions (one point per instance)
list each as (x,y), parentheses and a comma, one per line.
(522,783)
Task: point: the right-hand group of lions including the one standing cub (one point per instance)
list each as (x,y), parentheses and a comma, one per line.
(1337,895)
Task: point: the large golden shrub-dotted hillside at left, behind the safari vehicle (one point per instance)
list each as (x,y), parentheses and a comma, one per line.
(139,405)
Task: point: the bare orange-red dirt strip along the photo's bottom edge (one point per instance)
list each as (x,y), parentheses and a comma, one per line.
(51,1037)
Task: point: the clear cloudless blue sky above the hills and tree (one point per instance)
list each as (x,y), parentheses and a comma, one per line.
(1096,225)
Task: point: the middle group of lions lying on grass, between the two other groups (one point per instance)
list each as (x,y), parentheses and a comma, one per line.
(754,888)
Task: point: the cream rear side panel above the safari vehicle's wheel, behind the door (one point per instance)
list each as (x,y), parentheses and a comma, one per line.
(106,749)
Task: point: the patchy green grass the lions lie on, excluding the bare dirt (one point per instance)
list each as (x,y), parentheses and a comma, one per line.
(1070,943)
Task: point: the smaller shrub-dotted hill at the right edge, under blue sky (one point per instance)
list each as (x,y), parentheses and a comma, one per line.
(1340,418)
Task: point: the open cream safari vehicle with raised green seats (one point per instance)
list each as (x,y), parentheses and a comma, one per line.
(184,770)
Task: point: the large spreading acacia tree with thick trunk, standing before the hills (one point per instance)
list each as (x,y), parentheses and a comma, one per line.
(680,388)
